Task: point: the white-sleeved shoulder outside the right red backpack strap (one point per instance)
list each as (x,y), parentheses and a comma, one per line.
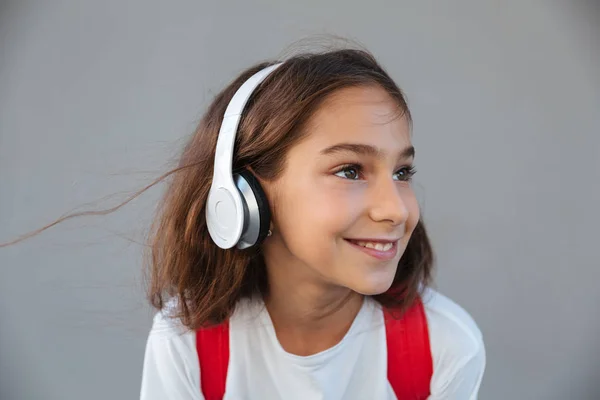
(457,347)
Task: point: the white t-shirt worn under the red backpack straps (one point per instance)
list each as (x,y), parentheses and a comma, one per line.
(354,369)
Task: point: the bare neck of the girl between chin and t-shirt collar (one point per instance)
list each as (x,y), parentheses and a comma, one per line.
(308,316)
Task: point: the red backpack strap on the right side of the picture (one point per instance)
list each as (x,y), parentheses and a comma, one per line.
(410,365)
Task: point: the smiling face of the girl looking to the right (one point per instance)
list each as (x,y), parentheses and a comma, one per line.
(344,208)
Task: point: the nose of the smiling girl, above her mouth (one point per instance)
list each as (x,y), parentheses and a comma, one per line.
(387,203)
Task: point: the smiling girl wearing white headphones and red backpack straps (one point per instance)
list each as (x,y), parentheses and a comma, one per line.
(289,259)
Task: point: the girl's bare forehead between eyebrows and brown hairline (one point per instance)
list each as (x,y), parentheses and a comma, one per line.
(365,115)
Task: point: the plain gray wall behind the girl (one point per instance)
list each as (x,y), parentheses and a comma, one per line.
(97,96)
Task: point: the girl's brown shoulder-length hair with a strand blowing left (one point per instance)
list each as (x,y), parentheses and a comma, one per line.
(184,264)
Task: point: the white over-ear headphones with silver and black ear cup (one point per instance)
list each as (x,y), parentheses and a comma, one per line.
(237,210)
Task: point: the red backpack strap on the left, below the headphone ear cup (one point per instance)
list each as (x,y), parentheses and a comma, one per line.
(212,345)
